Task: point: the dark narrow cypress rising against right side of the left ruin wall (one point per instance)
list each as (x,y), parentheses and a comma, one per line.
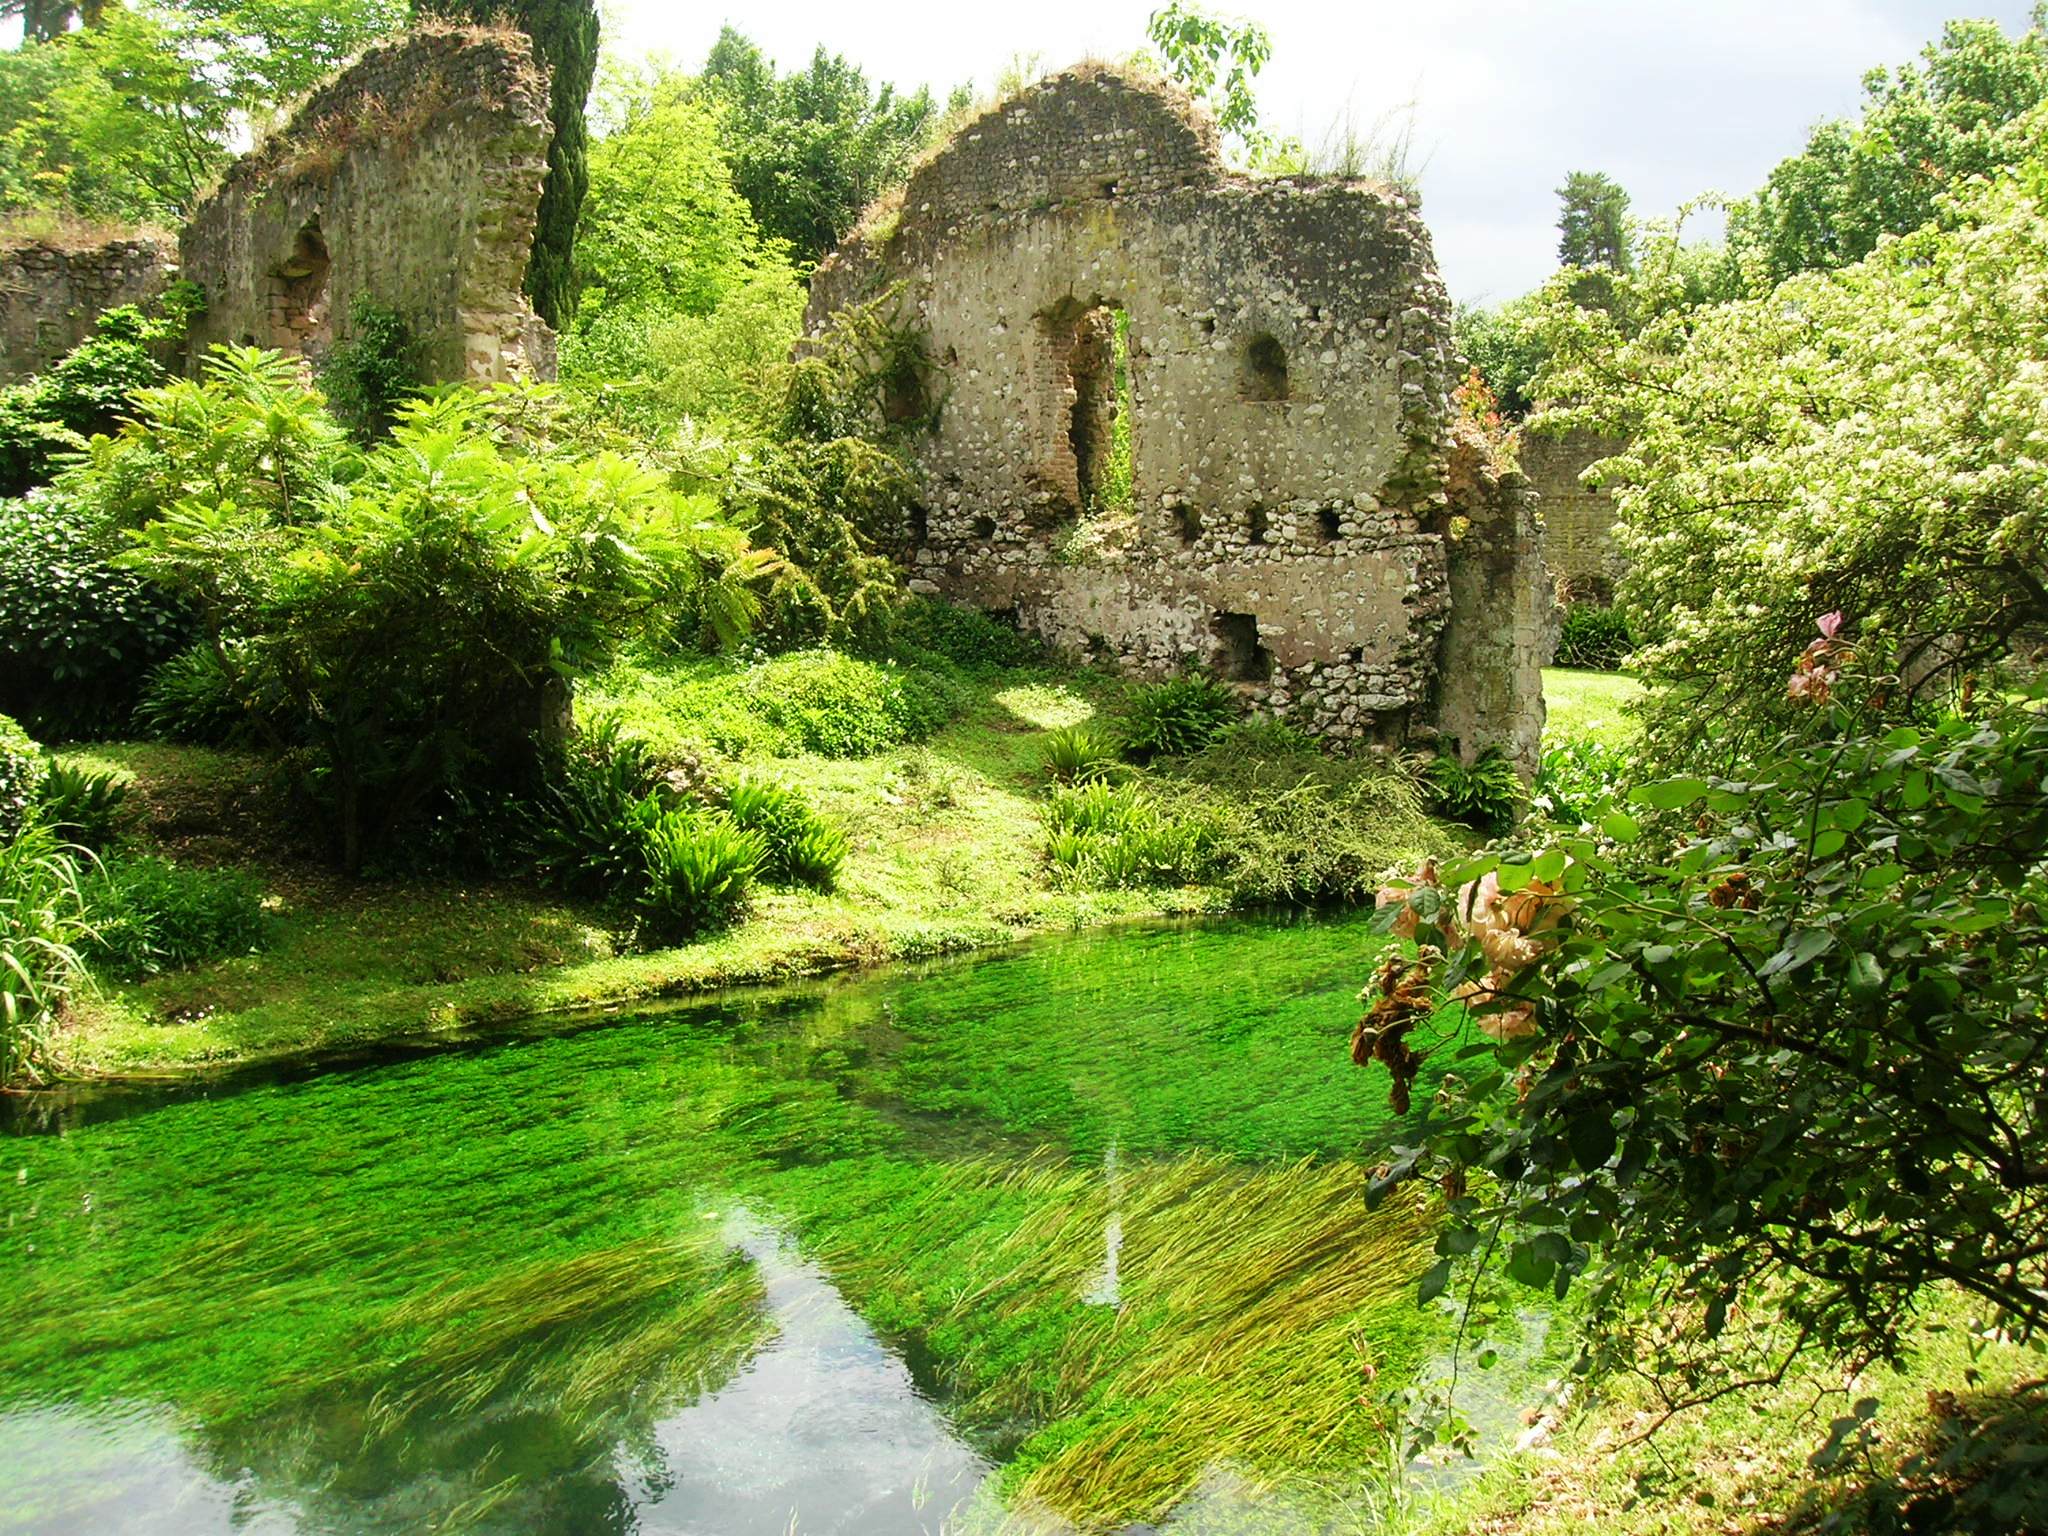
(566,42)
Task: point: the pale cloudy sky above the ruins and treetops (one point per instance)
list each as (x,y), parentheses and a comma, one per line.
(1672,99)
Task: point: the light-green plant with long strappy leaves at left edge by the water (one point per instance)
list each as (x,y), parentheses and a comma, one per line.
(42,925)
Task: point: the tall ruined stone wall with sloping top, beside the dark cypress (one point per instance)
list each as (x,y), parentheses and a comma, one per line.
(411,177)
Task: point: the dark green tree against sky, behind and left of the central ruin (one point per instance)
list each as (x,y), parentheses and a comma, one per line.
(812,151)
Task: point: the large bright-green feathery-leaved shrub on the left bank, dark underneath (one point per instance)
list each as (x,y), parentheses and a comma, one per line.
(402,622)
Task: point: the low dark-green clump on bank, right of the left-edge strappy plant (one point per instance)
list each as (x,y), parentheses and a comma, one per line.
(153,916)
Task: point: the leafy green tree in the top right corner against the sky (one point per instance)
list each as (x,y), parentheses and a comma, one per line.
(1926,130)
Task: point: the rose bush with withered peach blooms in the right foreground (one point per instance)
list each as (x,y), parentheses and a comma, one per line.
(1760,1048)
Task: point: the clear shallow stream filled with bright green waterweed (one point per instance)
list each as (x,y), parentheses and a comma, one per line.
(941,1250)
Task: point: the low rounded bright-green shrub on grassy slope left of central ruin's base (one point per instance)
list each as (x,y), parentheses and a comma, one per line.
(845,708)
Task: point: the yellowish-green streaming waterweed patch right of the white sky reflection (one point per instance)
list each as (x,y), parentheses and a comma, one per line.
(1254,1314)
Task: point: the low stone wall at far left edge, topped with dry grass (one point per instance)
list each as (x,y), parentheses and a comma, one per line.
(52,290)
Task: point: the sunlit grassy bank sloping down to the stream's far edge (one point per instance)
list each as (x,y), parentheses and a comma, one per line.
(947,855)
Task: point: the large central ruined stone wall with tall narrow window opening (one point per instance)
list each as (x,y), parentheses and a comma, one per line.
(1295,525)
